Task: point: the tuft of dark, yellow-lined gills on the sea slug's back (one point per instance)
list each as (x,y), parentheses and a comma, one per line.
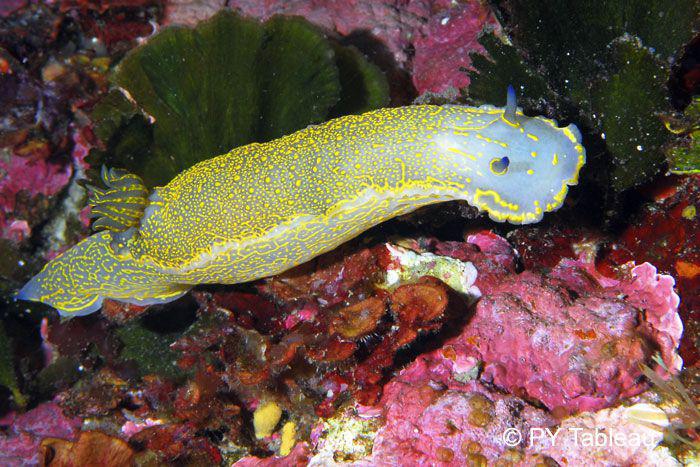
(121,205)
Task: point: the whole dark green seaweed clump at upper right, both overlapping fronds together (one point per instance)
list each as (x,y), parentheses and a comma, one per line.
(603,65)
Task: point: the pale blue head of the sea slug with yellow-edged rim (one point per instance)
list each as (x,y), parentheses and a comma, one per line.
(519,167)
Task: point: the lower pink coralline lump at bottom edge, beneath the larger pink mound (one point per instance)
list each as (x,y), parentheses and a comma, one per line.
(434,420)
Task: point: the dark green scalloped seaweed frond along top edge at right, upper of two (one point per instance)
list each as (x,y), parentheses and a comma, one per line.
(569,39)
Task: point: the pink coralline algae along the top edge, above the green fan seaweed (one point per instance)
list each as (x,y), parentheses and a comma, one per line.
(441,33)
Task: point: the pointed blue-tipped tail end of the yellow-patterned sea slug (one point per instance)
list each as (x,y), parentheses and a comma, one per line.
(76,282)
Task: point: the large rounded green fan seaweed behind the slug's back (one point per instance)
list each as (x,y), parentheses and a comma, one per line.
(196,93)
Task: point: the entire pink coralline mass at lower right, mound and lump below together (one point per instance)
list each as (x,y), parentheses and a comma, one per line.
(571,341)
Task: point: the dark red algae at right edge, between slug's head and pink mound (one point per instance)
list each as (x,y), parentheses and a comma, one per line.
(664,233)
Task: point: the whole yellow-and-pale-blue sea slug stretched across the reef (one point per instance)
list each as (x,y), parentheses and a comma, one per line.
(261,209)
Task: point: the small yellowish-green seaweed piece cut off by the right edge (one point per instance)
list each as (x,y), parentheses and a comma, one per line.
(684,157)
